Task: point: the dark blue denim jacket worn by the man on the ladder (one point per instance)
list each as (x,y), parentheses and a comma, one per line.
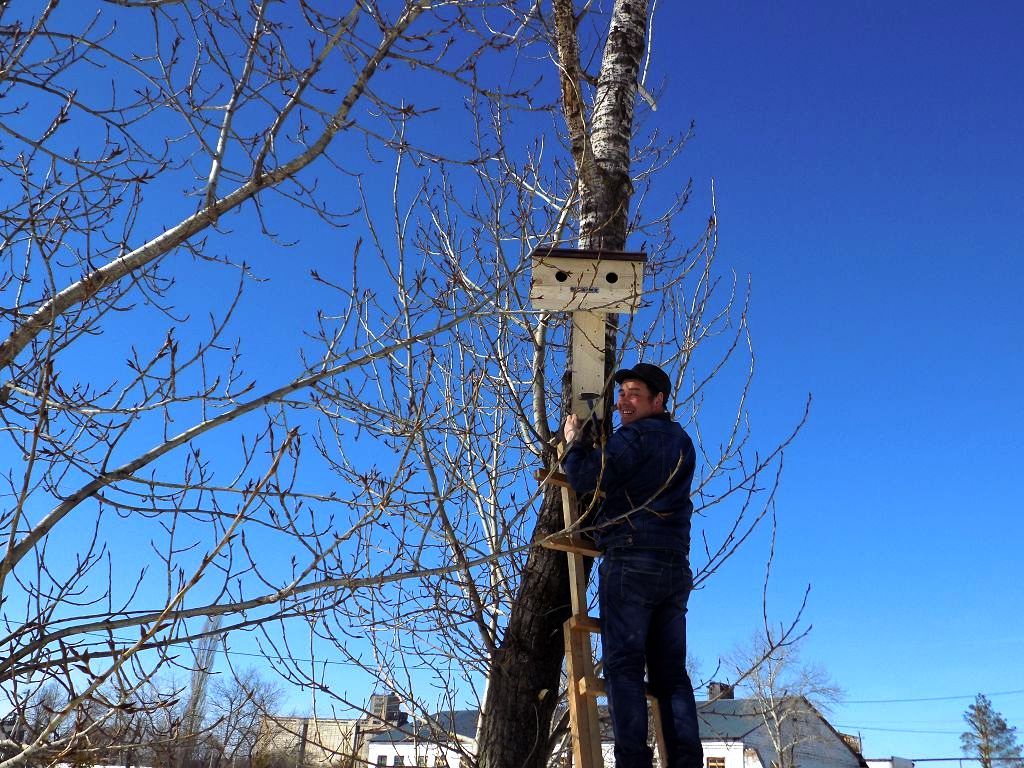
(646,472)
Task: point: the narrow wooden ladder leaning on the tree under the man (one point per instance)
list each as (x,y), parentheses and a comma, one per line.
(584,686)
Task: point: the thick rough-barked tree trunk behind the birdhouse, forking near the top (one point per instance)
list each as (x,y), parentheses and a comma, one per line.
(527,671)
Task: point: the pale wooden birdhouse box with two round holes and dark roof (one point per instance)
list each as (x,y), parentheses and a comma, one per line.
(565,280)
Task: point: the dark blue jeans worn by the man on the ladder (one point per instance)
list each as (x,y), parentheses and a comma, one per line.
(644,595)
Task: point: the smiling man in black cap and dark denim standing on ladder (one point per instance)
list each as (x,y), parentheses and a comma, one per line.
(643,529)
